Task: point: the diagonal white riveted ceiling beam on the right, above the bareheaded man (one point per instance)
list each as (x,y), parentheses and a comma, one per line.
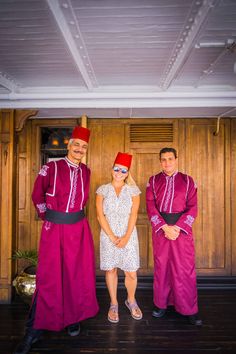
(182,51)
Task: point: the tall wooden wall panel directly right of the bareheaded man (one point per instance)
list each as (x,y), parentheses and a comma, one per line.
(206,163)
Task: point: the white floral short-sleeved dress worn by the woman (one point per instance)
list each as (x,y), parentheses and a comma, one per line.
(117,211)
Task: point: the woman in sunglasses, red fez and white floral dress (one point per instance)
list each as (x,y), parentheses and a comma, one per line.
(117,208)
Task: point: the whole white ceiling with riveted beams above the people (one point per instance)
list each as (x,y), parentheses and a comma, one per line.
(119,58)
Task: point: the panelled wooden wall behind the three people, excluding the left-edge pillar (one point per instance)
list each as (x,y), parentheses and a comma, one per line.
(202,155)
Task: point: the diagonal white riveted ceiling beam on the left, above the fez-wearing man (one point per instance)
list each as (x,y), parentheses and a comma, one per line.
(66,32)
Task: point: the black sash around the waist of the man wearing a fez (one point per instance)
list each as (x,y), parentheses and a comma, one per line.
(58,217)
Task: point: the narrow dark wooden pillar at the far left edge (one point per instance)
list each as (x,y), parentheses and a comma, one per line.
(7,206)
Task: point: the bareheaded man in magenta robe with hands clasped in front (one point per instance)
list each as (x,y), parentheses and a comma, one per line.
(171,198)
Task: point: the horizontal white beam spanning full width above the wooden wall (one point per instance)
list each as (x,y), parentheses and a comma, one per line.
(16,101)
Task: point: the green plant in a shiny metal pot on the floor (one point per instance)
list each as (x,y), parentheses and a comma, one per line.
(25,282)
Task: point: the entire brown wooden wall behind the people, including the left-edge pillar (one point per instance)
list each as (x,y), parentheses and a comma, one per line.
(209,159)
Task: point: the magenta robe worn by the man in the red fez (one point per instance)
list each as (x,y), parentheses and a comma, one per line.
(65,281)
